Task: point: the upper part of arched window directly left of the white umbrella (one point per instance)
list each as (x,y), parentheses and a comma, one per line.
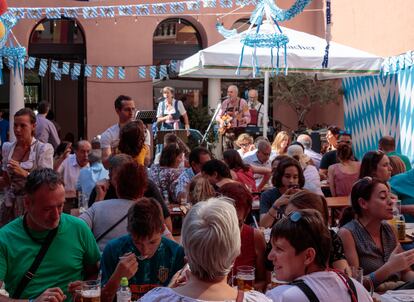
(175,39)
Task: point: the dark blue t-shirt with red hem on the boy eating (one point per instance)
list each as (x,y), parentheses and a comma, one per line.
(153,272)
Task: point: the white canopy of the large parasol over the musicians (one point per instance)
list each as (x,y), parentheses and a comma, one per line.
(305,54)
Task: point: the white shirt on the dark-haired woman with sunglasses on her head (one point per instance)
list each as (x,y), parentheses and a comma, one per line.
(326,285)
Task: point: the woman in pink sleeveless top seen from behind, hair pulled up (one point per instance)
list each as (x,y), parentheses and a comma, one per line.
(342,176)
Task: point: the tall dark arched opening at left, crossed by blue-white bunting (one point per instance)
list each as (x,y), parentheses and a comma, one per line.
(62,40)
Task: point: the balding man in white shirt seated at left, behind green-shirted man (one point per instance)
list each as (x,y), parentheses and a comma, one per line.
(69,170)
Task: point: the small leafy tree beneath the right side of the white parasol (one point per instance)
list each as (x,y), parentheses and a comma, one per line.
(301,93)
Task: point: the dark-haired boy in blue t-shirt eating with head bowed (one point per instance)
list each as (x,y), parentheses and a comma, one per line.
(143,256)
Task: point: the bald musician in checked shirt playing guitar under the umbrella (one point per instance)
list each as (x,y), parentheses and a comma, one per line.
(233,117)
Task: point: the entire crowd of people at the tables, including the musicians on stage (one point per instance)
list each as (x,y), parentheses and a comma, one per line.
(102,210)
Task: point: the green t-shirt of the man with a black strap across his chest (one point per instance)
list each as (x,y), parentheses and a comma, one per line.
(72,248)
